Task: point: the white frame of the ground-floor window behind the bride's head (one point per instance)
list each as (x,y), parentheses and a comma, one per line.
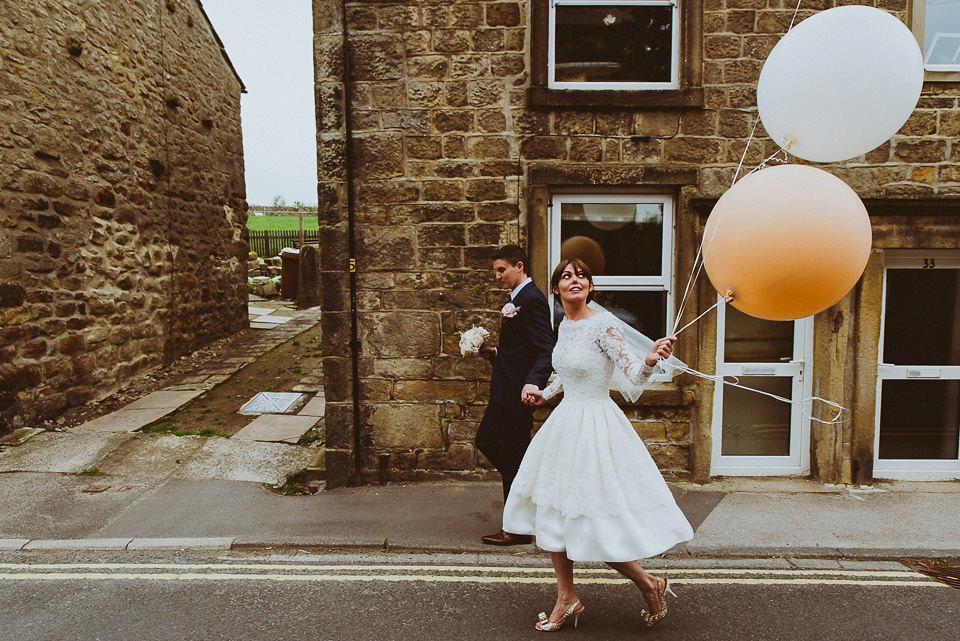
(661,283)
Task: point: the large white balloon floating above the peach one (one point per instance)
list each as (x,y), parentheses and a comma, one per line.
(840,83)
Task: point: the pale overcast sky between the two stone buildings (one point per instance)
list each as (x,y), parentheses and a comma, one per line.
(270,43)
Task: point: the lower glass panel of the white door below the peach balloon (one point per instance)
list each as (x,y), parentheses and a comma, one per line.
(755,424)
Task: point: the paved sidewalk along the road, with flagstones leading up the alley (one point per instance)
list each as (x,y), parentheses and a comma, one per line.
(149,491)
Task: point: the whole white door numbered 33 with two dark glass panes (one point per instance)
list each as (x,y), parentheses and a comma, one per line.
(918,382)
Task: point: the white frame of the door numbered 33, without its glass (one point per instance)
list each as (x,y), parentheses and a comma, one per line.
(912,469)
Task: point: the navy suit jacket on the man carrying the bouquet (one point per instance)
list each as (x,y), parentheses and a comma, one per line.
(526,344)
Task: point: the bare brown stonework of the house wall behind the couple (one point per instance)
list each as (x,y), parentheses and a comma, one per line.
(452,160)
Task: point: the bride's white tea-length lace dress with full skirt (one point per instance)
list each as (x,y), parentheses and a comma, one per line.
(587,484)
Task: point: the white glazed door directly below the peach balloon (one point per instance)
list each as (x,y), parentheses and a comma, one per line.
(754,434)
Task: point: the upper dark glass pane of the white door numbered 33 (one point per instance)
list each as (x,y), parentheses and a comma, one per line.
(922,318)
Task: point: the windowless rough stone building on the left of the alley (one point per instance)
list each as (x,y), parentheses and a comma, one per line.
(122,212)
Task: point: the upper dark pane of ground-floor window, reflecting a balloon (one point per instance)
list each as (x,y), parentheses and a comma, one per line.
(623,239)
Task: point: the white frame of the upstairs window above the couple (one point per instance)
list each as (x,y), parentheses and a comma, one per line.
(674,82)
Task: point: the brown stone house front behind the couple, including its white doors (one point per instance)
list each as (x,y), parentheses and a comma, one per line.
(442,135)
